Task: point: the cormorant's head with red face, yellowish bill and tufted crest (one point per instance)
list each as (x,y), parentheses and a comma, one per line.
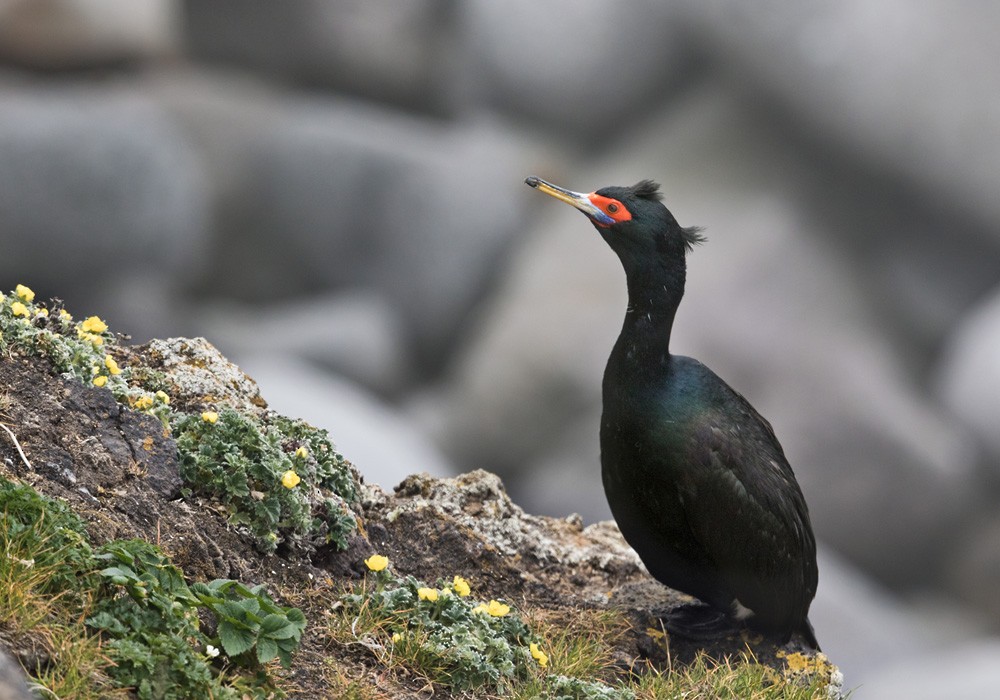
(632,220)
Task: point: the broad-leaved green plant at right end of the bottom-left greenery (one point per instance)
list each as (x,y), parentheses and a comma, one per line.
(248,618)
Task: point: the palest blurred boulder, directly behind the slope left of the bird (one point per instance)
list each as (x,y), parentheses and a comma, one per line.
(380,441)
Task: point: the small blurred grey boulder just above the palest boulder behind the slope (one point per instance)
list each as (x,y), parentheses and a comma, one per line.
(356,335)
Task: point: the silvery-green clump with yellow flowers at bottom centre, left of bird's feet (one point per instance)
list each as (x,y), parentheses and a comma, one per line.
(451,640)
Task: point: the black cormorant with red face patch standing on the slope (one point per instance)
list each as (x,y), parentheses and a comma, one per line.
(695,478)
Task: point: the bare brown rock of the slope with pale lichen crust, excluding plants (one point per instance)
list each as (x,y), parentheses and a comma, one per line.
(118,468)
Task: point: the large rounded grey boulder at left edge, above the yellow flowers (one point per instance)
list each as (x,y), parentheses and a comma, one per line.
(100,195)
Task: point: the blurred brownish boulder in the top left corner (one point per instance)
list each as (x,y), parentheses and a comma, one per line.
(74,34)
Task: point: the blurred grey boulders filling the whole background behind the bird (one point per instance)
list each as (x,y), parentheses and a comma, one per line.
(331,192)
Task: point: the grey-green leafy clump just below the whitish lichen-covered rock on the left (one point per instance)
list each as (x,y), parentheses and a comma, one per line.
(240,461)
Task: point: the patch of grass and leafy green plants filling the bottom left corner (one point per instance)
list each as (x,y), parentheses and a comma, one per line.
(100,621)
